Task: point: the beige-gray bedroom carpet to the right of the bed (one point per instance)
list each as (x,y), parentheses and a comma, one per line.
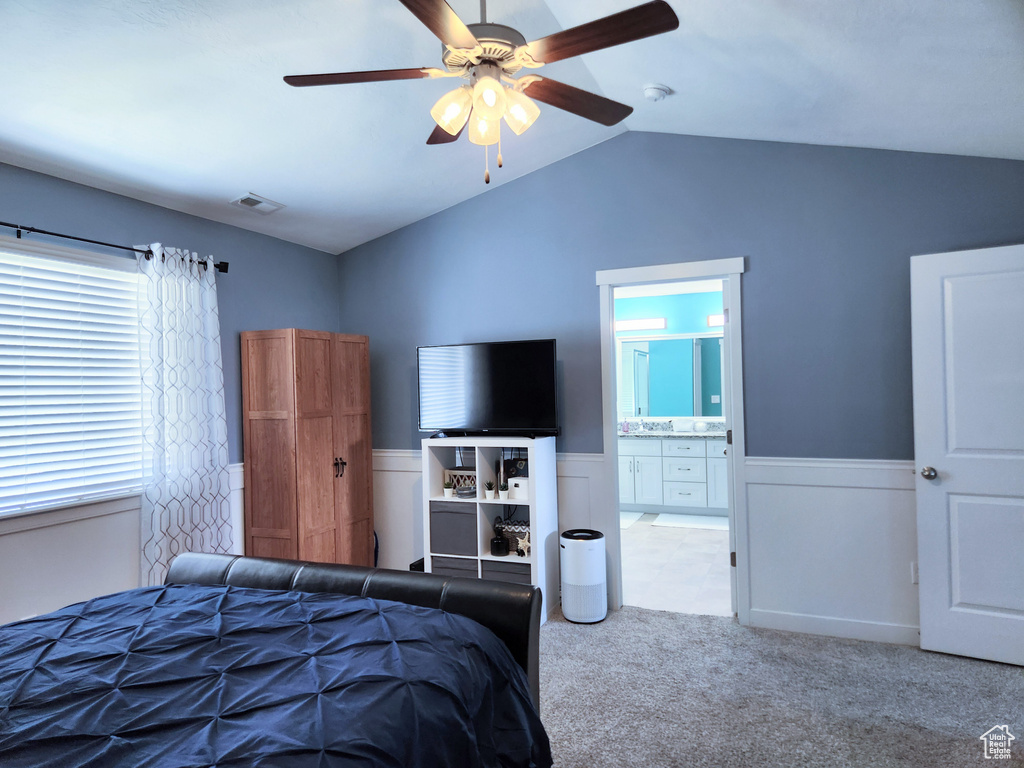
(654,690)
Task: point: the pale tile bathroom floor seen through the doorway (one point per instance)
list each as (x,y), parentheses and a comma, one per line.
(686,571)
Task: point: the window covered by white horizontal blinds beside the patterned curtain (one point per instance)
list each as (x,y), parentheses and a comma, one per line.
(70,385)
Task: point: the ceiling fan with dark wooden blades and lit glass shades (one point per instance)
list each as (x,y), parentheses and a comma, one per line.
(490,55)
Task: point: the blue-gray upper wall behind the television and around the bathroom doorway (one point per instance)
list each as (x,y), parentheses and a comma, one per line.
(828,233)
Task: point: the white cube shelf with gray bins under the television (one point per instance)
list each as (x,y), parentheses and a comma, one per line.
(457,532)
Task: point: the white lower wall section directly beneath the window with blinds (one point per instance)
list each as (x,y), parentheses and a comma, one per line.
(53,560)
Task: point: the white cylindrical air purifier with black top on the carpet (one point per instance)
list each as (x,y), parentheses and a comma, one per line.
(585,576)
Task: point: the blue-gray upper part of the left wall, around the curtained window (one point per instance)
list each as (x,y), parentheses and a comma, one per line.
(272,284)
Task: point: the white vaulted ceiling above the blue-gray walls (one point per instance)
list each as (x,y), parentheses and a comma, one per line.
(181,103)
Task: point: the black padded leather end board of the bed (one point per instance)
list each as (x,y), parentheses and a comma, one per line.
(513,612)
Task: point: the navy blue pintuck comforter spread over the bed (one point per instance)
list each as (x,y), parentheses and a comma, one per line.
(184,675)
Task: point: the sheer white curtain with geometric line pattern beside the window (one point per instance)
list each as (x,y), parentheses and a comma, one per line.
(186,501)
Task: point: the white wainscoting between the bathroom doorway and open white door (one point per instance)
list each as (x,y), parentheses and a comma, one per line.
(832,544)
